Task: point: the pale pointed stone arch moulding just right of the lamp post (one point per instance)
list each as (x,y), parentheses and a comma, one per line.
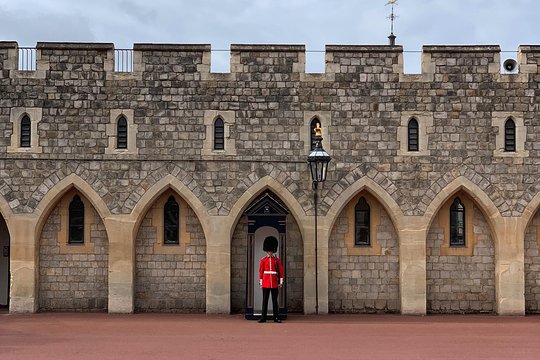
(365,183)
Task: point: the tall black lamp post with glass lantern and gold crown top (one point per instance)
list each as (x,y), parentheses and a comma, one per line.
(318,161)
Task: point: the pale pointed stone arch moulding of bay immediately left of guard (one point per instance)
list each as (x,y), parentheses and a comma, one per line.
(152,194)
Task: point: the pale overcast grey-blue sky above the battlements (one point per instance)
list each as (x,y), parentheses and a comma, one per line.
(507,23)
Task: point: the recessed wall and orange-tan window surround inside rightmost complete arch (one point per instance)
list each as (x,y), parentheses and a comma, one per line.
(460,279)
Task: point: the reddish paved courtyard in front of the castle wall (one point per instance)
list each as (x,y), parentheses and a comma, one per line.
(174,336)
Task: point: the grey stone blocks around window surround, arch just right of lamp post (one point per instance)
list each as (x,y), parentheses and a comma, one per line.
(363,283)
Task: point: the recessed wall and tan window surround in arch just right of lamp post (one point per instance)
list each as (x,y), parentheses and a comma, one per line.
(365,278)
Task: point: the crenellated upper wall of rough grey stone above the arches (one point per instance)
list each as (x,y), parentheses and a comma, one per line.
(364,90)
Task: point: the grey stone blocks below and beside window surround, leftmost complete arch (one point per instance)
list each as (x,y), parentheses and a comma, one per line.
(73,282)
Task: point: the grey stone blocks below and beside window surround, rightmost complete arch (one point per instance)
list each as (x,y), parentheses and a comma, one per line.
(461,284)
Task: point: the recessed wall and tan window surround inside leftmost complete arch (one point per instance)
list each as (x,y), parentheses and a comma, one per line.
(73,276)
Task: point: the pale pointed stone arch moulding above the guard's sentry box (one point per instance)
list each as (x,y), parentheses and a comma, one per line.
(267,183)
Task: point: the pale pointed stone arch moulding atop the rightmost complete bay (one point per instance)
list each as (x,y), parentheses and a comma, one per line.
(481,199)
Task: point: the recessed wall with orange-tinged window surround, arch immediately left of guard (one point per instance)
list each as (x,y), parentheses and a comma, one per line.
(170,277)
